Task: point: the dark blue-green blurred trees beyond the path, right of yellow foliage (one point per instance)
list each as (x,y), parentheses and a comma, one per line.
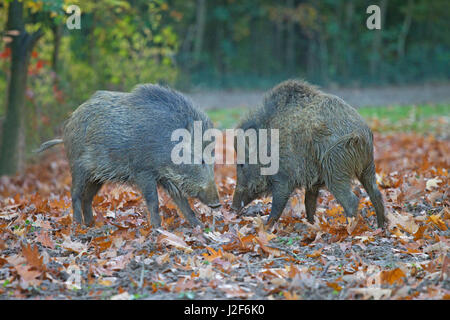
(251,43)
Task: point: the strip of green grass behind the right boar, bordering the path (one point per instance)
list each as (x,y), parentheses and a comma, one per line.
(418,118)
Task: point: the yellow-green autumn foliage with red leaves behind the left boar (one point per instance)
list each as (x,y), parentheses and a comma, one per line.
(120,44)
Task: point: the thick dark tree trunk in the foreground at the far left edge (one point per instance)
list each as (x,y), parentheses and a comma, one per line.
(13,137)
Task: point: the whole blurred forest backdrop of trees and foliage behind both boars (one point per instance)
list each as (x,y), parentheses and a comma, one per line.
(47,70)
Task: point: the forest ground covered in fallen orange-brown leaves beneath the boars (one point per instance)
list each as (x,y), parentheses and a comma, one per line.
(44,256)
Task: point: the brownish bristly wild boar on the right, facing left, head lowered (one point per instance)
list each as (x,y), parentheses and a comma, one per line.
(322,142)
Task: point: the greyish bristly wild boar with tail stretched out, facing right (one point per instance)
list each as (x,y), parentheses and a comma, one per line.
(126,138)
